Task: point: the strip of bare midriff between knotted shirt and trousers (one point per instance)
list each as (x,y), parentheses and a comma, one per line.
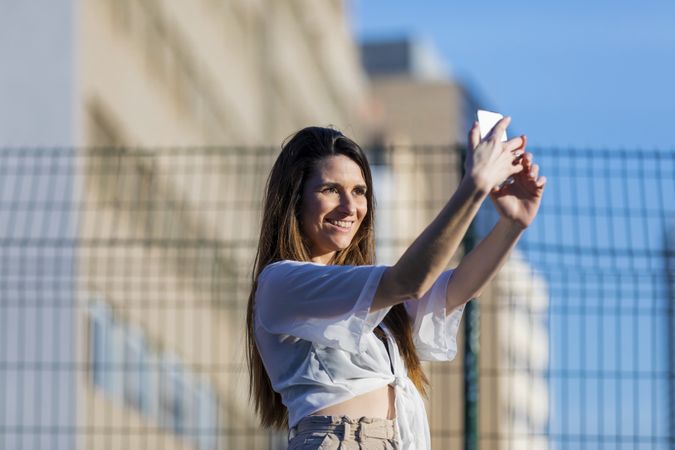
(377,403)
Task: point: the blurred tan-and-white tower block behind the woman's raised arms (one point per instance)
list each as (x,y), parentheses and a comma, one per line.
(422,115)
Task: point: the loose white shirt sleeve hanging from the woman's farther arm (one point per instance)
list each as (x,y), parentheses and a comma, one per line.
(434,330)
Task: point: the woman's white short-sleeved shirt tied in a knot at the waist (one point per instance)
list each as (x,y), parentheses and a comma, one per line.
(314,331)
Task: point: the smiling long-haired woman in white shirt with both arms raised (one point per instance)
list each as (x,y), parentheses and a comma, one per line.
(334,342)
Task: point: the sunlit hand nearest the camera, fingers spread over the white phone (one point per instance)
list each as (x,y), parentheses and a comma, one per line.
(490,162)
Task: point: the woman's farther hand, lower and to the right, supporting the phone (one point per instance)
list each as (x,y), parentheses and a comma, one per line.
(519,200)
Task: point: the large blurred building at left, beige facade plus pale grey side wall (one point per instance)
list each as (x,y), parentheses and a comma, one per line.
(153,361)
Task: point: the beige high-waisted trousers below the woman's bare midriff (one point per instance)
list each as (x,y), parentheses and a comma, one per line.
(343,433)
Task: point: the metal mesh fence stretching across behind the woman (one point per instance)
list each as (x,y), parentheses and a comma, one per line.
(124,276)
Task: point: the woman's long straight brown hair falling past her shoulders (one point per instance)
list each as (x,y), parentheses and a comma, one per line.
(281,239)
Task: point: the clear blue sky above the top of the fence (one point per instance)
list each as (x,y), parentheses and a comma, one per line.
(577,74)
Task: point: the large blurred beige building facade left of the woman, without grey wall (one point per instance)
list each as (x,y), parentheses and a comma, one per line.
(175,78)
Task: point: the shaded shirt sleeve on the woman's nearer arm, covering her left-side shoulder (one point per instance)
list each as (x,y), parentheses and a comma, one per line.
(329,305)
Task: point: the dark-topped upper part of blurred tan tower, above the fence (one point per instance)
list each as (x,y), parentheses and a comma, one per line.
(416,100)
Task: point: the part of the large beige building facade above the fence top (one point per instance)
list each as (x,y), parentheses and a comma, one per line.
(218,73)
